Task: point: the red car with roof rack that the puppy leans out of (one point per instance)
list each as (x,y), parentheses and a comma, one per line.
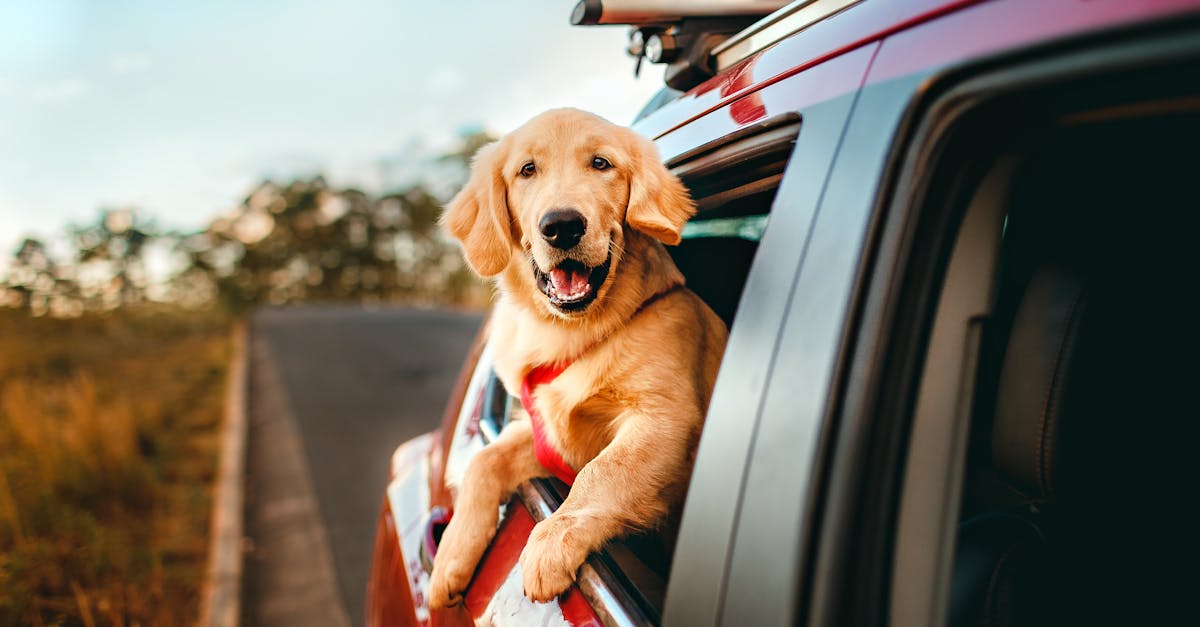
(955,243)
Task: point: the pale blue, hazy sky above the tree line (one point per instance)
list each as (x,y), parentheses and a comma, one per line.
(179,108)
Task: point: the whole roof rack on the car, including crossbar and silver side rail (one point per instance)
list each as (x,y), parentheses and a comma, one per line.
(698,39)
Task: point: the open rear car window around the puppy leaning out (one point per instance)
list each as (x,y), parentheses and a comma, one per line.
(734,186)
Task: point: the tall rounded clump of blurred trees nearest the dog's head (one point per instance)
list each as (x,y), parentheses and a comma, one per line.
(307,242)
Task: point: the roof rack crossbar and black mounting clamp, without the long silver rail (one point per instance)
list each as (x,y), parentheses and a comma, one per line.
(679,33)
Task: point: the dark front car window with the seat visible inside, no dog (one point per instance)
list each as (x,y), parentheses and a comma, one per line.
(1029,369)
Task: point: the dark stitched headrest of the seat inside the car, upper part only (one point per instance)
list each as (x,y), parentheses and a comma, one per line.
(1037,369)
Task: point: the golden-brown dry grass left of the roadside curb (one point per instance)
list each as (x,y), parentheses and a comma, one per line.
(109,445)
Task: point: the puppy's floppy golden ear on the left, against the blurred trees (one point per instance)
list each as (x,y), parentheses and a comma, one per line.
(478,216)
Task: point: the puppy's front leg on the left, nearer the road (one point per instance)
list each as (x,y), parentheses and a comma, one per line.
(491,479)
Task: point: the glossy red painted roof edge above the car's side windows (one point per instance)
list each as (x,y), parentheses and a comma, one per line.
(992,27)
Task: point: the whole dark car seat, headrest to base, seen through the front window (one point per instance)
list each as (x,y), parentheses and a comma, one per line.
(1005,558)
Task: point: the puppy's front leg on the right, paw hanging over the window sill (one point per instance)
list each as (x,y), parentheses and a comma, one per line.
(632,485)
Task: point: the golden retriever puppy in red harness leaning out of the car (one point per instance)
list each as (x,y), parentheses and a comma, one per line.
(614,357)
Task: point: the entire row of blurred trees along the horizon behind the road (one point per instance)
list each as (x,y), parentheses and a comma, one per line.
(297,242)
